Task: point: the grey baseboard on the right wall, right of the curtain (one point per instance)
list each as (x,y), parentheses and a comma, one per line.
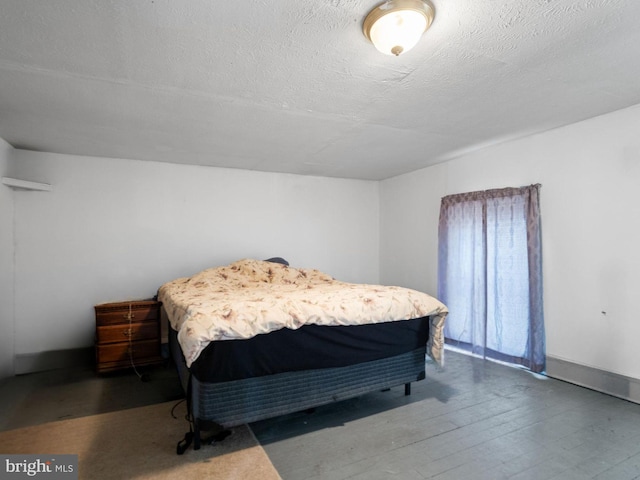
(620,386)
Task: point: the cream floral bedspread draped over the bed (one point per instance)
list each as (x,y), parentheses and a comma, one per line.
(251,297)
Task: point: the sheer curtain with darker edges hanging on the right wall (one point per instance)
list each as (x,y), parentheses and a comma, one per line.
(490,274)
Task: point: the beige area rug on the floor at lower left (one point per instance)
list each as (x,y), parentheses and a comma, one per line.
(140,443)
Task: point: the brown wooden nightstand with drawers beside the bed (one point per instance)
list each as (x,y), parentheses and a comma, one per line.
(127,333)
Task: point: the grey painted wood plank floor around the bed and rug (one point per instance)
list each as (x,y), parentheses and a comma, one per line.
(475,419)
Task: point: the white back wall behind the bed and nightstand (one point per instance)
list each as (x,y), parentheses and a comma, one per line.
(116,229)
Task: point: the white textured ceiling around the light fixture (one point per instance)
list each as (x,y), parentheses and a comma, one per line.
(294,86)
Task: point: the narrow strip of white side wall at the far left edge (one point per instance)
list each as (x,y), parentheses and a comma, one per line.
(6,267)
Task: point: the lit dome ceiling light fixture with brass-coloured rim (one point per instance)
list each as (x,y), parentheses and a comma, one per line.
(395,26)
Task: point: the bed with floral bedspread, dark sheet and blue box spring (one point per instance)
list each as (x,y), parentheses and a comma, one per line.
(256,339)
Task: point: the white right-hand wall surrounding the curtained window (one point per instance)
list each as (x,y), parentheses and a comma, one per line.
(590,176)
